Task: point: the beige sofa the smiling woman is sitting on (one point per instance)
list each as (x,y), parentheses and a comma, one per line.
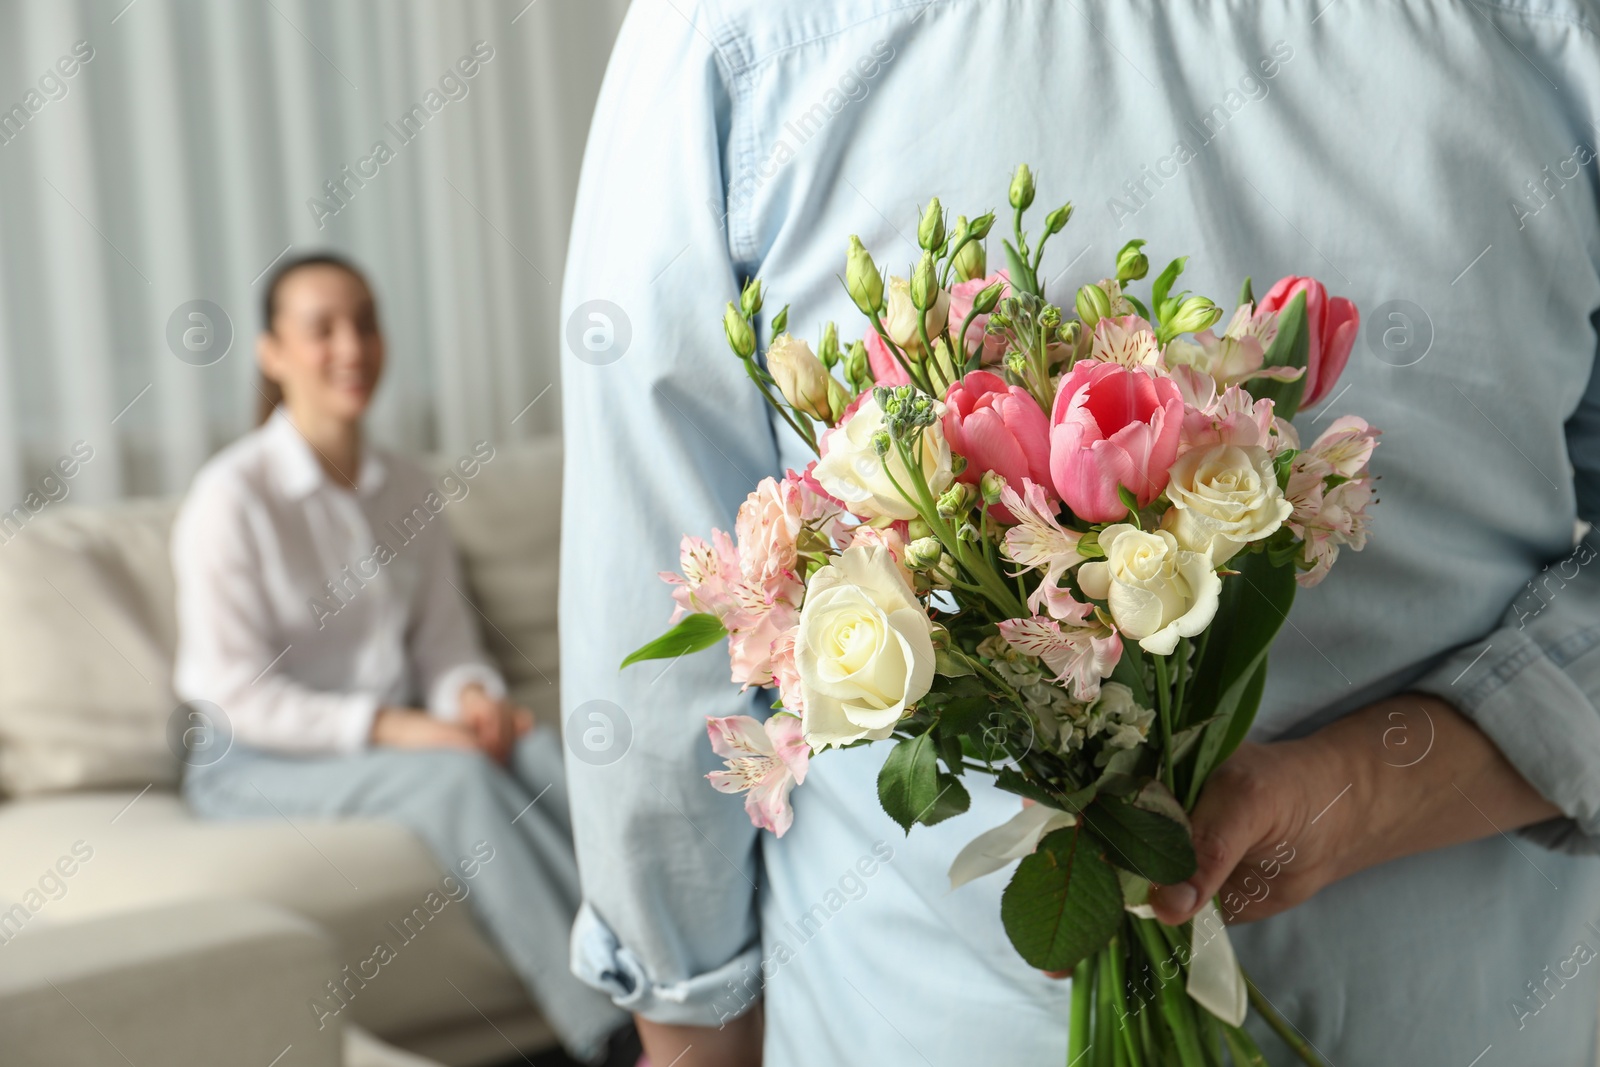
(92,829)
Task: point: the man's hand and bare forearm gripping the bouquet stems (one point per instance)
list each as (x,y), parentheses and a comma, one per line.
(1281,821)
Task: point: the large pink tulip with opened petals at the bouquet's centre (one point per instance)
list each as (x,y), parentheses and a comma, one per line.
(1113,426)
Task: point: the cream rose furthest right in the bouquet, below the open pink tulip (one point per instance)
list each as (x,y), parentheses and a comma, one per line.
(1225,498)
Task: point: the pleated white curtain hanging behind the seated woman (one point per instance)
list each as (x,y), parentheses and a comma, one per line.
(177,164)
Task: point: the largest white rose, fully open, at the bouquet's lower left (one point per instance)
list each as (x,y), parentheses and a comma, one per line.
(865,650)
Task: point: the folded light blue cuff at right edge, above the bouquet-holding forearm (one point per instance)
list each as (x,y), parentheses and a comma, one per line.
(1534,703)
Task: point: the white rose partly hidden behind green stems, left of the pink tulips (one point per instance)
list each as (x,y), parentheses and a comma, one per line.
(854,473)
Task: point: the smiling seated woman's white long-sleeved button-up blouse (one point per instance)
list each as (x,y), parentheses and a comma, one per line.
(305,607)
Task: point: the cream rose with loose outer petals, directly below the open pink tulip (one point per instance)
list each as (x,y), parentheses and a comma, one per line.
(1158,591)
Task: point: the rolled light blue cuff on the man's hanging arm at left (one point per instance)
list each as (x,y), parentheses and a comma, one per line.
(703,1001)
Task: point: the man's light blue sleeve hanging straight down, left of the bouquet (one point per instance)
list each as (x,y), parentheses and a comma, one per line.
(665,438)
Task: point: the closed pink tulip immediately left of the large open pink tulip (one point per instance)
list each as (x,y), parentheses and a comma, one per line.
(998,428)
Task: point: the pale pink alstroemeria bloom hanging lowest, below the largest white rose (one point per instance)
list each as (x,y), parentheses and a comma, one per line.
(766,761)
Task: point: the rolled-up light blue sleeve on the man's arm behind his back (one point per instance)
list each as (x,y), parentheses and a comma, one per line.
(1534,685)
